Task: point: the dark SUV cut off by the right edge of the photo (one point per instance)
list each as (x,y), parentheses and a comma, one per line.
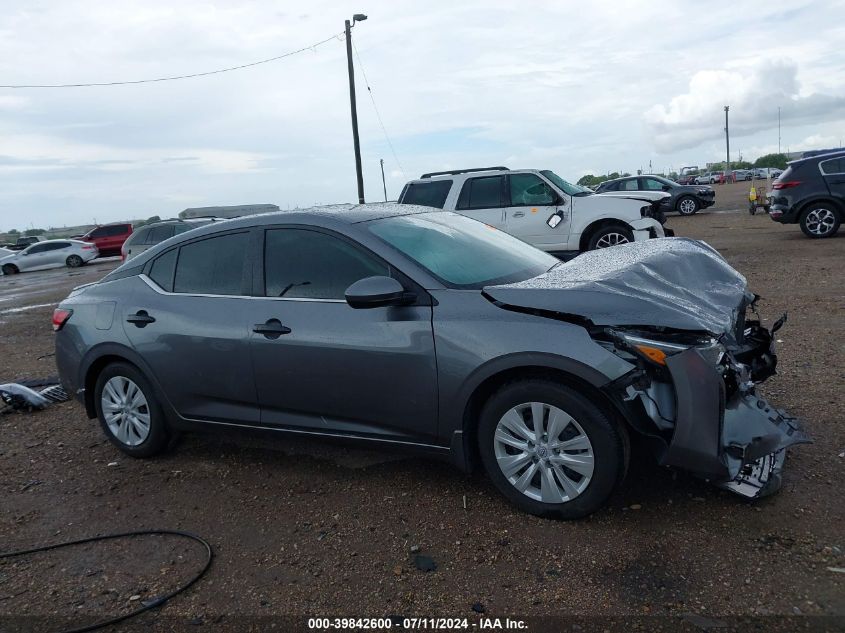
(811,193)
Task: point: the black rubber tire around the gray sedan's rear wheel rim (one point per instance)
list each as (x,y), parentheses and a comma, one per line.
(159,433)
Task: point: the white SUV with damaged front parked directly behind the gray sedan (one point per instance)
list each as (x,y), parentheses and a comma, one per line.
(539,207)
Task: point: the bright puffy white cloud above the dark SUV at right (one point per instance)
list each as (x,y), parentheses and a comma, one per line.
(753,93)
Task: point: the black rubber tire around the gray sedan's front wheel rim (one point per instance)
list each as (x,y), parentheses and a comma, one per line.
(607,441)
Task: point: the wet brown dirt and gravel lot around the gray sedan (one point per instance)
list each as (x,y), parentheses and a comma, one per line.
(327,531)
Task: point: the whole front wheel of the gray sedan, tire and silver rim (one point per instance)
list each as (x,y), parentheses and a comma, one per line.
(549,450)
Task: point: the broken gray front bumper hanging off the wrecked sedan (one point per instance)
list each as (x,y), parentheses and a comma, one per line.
(739,444)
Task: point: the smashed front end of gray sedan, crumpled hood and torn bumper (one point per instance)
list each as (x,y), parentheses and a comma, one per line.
(685,321)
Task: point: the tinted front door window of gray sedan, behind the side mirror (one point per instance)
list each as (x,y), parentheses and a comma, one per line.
(306,264)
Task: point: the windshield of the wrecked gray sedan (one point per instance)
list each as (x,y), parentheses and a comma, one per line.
(461,252)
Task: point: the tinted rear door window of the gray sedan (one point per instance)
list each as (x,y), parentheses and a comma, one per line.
(213,266)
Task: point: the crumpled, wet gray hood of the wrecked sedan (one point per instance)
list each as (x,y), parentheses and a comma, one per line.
(667,282)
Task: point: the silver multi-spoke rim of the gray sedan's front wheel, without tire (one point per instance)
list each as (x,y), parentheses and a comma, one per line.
(543,452)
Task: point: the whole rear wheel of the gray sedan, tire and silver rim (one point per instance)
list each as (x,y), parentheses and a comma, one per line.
(129,411)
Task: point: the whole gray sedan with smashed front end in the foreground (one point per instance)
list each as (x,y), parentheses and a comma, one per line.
(311,323)
